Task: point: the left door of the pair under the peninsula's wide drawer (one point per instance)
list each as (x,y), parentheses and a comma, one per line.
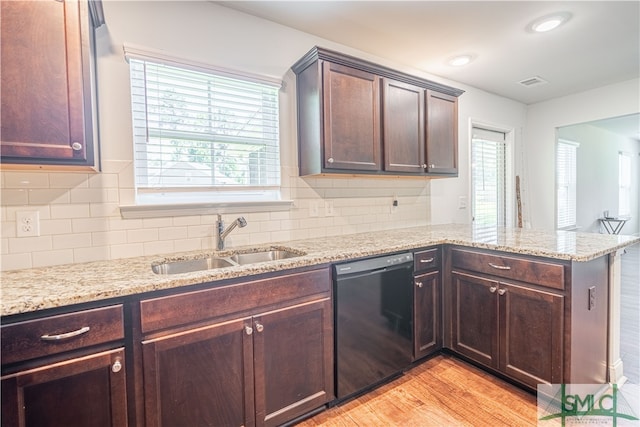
(475,318)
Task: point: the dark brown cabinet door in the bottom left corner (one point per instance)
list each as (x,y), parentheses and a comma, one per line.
(86,391)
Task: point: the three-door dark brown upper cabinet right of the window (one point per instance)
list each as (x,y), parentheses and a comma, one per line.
(357,117)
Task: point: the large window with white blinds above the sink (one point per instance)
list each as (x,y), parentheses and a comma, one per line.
(202,135)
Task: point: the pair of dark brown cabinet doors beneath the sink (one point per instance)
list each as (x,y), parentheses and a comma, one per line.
(260,370)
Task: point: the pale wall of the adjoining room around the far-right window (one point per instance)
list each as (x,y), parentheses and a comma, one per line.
(597,175)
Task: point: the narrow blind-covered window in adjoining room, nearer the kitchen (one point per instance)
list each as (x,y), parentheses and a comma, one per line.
(566,169)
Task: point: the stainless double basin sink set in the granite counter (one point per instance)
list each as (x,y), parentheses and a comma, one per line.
(232,258)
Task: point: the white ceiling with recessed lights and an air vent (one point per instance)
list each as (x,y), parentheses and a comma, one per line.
(599,45)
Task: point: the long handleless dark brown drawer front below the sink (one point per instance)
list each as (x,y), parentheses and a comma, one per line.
(182,309)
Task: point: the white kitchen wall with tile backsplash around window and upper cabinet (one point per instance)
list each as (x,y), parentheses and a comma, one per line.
(79,212)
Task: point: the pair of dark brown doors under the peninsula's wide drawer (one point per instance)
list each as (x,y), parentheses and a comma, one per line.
(514,329)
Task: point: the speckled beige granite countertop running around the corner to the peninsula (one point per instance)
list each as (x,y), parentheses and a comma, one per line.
(49,287)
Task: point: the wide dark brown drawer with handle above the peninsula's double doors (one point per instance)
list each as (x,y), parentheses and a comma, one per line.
(532,271)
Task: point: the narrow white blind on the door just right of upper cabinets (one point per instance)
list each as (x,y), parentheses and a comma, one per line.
(488,174)
